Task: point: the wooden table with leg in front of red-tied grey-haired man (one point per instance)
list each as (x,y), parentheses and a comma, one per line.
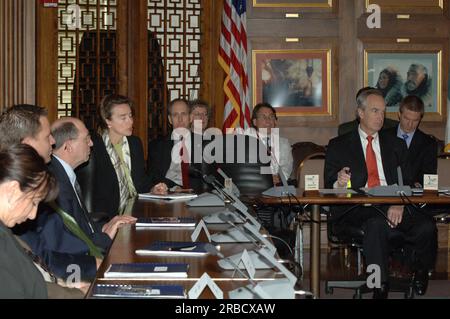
(316,199)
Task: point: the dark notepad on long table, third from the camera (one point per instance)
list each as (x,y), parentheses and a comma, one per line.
(173,248)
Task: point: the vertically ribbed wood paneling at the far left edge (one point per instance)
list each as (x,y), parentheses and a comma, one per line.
(17,52)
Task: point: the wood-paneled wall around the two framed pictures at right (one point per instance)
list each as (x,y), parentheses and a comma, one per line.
(344,26)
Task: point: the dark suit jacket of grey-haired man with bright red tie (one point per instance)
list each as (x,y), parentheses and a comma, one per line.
(346,151)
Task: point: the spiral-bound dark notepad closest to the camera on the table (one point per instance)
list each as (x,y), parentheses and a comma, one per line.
(138,291)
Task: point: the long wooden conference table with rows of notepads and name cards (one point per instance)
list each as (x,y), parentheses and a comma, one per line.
(131,238)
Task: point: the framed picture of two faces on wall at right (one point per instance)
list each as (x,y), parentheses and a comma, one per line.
(401,73)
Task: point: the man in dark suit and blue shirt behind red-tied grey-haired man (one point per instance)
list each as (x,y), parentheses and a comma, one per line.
(422,149)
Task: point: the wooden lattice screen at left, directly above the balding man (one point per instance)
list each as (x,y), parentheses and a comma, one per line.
(86,56)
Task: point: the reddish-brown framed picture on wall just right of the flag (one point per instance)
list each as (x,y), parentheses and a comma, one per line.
(296,82)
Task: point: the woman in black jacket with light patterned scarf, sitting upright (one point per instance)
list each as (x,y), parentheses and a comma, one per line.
(119,160)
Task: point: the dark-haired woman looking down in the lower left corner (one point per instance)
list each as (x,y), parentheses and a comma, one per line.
(24,182)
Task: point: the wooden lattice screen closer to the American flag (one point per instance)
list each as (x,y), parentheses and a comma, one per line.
(175,33)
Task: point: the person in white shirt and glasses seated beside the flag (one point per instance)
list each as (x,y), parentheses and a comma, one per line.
(264,119)
